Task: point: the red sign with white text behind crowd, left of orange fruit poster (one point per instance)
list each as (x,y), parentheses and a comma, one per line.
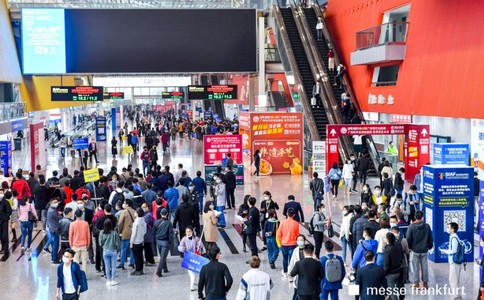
(216,148)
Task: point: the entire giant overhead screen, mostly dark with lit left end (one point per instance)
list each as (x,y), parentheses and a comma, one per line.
(57,41)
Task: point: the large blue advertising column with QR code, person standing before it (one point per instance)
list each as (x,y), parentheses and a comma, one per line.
(449,197)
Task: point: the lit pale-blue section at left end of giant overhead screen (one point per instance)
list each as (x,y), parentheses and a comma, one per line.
(43,41)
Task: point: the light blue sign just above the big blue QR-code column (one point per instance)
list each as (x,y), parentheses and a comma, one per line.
(451,154)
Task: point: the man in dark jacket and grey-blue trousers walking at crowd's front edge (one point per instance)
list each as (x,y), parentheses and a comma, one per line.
(163,234)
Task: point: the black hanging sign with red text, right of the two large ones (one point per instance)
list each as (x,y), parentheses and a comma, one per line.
(212,92)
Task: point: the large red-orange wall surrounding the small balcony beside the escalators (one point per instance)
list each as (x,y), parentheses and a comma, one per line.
(441,73)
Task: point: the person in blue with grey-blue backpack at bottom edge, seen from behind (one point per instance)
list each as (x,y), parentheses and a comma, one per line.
(334,272)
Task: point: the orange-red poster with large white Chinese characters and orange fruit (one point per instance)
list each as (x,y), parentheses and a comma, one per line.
(279,156)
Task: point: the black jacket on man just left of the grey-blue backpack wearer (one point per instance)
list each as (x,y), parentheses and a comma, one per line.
(310,273)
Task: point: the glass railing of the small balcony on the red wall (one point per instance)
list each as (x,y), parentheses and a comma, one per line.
(388,33)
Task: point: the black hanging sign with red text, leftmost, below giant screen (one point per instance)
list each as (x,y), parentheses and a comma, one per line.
(76,93)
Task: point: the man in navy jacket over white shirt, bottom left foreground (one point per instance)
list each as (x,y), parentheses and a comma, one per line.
(68,277)
